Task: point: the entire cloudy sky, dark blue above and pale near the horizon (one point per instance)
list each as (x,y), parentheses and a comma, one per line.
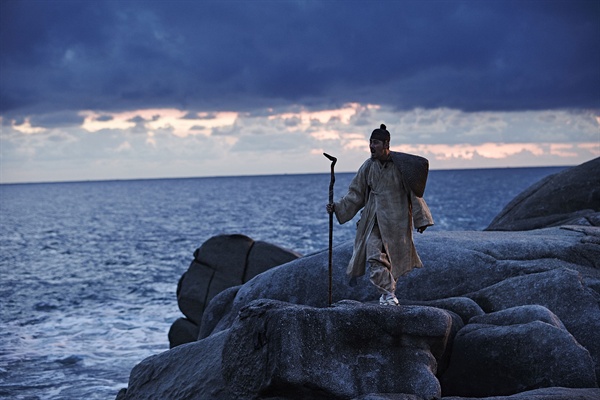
(95,90)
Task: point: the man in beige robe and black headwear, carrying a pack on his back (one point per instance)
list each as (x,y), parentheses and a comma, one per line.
(388,188)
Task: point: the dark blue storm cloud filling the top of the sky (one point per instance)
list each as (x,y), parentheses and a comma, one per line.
(472,55)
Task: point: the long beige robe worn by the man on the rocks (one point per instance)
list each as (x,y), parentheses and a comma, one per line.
(382,194)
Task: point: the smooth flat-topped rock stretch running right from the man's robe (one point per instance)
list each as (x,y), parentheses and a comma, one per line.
(459,263)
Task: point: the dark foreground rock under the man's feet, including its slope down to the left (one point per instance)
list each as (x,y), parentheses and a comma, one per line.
(286,351)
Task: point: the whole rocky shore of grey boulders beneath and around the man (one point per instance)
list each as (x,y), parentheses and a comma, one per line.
(509,314)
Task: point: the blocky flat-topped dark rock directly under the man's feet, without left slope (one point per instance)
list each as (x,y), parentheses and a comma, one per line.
(289,351)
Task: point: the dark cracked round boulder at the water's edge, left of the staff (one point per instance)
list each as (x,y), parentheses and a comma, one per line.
(221,262)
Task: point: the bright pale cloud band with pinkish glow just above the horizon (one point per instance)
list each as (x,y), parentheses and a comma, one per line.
(154,143)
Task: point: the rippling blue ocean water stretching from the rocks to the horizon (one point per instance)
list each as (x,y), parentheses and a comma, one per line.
(89,269)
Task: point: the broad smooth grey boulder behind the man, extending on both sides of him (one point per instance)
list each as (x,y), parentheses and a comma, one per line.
(459,265)
